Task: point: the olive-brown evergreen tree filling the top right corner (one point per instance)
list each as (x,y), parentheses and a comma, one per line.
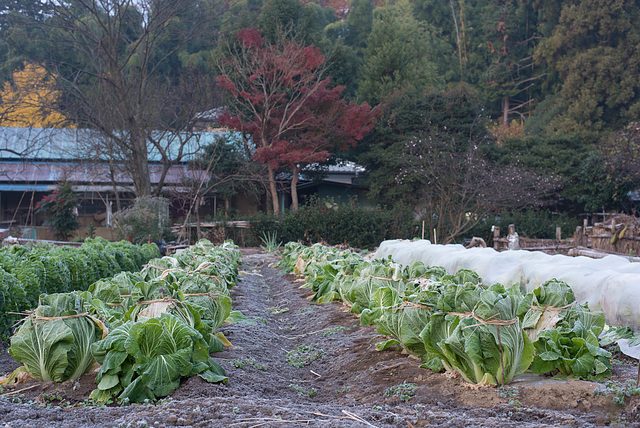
(595,49)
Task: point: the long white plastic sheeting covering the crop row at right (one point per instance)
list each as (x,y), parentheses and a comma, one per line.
(610,284)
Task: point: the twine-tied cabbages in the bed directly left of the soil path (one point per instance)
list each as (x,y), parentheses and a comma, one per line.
(147,329)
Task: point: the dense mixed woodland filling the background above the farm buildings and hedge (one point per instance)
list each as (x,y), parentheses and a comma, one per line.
(554,85)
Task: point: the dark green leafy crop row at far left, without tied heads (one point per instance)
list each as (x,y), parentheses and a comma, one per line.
(28,272)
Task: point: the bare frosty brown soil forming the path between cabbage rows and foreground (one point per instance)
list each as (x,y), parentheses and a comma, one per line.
(350,384)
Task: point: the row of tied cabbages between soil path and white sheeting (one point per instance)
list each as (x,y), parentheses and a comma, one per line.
(487,333)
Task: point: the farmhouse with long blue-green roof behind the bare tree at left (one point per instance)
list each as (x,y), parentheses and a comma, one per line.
(34,160)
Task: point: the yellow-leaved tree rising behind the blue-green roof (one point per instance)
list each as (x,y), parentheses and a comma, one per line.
(29,100)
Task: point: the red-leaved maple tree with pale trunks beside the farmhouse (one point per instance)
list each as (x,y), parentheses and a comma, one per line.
(279,95)
